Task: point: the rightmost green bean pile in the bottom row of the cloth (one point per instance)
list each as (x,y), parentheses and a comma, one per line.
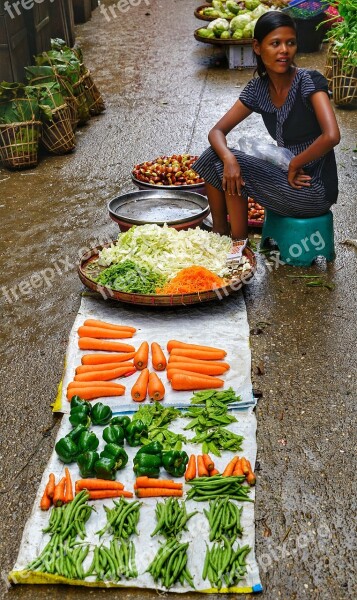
(223,565)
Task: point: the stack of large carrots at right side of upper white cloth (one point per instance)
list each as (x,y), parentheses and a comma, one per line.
(195,367)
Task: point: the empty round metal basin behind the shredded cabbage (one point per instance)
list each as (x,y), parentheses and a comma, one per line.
(179,209)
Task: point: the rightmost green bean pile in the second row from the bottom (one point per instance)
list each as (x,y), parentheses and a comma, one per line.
(224,519)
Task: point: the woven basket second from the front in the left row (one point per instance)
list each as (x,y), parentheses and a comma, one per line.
(57,135)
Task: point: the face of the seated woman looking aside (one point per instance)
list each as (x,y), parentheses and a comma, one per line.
(277,50)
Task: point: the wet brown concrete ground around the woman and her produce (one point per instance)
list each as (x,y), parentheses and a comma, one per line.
(163,92)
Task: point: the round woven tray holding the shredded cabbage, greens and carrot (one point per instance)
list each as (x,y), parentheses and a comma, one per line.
(89,268)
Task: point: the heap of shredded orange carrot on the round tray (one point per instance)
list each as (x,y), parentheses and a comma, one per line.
(192,279)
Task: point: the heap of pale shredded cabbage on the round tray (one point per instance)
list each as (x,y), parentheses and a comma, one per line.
(167,250)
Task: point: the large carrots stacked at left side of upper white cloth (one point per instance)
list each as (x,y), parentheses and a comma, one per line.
(90,381)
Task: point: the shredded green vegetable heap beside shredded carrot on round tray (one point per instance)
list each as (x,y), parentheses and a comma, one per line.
(130,277)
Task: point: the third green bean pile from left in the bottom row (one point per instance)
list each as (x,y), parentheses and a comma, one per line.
(169,564)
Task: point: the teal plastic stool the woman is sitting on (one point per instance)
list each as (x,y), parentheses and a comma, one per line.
(300,241)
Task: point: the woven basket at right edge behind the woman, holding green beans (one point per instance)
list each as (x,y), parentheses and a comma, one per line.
(344,82)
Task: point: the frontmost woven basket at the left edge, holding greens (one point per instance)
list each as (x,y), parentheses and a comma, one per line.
(19,144)
